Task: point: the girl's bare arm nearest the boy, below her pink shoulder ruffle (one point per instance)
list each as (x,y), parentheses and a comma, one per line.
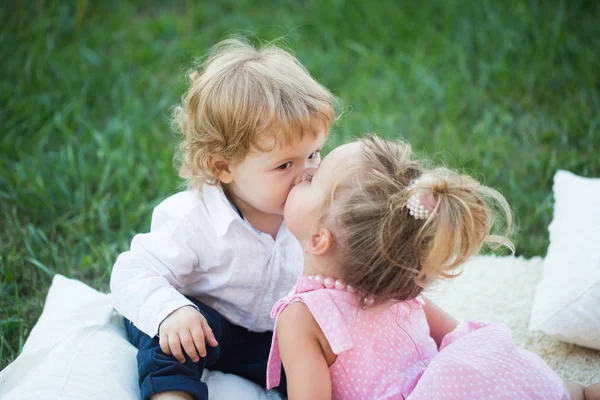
(304,361)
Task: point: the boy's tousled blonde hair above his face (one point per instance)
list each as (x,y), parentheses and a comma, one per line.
(237,94)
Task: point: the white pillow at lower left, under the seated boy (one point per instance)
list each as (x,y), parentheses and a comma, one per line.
(78,350)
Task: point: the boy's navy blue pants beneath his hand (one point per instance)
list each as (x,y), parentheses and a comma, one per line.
(240,352)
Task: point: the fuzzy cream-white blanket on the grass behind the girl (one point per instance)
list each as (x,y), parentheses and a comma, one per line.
(501,289)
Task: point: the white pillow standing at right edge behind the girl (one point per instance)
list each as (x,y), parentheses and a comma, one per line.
(567,299)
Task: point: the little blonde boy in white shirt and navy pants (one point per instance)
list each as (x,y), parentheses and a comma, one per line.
(219,255)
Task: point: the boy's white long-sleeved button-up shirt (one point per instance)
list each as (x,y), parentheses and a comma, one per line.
(199,246)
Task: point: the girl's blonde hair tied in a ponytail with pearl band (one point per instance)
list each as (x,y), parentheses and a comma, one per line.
(384,251)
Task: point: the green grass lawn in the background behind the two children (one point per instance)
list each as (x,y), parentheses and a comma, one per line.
(506,90)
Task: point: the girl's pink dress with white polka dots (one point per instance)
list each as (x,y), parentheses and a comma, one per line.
(385,352)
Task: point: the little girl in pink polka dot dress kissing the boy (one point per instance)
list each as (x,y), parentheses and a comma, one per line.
(377,228)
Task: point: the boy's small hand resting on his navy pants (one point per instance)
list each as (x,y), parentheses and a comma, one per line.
(188,328)
